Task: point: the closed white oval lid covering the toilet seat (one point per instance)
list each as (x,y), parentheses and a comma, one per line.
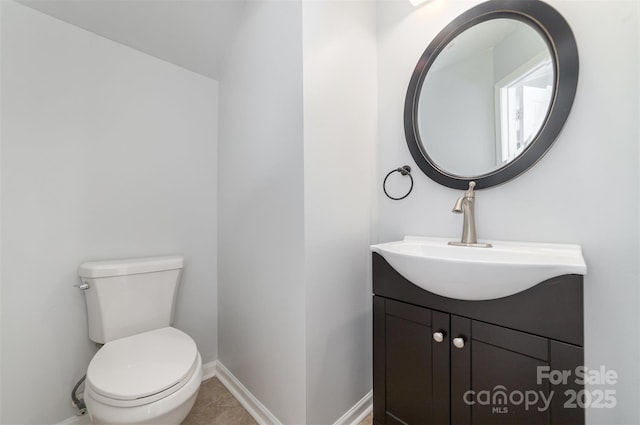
(141,365)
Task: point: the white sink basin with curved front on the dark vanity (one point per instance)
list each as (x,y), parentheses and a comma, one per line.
(468,273)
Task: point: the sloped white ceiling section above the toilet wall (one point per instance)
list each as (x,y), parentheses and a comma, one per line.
(193,34)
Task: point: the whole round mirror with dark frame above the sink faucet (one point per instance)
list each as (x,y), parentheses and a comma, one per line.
(491,93)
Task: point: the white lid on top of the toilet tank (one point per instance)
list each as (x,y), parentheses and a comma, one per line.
(109,268)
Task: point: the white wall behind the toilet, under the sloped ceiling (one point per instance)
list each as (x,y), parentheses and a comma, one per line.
(106,153)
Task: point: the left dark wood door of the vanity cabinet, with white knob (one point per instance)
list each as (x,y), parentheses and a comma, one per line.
(411,367)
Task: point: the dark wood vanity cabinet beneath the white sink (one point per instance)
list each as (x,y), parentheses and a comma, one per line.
(444,361)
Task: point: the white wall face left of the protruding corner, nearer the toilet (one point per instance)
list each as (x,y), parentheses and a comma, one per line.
(261,209)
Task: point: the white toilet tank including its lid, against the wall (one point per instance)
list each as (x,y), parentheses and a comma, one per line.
(126,297)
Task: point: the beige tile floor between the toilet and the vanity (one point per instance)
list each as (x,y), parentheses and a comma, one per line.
(216,406)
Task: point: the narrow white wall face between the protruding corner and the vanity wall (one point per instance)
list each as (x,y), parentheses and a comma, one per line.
(340,95)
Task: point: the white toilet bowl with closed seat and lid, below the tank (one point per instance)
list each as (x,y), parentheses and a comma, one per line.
(148,378)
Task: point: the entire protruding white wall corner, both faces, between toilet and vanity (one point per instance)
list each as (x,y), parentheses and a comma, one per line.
(295,206)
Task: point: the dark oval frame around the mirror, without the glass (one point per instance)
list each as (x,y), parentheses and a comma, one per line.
(562,45)
